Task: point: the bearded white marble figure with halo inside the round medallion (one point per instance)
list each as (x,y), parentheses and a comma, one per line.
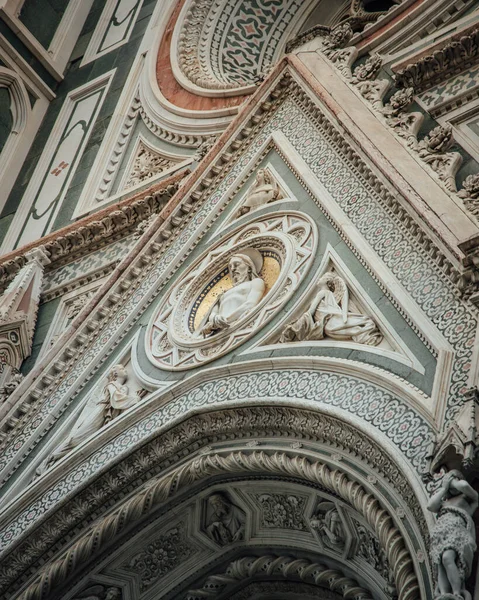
(247,291)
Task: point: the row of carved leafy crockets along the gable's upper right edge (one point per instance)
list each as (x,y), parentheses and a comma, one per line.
(433,148)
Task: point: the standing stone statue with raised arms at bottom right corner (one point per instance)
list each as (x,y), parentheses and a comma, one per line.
(453,539)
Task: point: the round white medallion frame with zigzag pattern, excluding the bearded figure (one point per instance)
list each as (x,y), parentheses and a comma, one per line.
(287,239)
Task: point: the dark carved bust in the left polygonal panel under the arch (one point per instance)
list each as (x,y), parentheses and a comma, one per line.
(226,521)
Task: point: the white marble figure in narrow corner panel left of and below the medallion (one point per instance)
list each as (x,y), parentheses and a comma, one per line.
(98,412)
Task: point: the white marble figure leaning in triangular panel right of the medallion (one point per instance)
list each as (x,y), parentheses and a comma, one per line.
(328,317)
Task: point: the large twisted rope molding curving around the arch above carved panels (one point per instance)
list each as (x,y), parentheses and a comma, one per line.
(164,488)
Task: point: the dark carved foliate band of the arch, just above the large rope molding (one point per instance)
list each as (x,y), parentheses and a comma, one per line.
(184,439)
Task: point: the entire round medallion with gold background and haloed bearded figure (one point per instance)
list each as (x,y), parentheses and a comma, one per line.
(231,291)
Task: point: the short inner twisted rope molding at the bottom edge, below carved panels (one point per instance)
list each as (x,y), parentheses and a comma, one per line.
(287,567)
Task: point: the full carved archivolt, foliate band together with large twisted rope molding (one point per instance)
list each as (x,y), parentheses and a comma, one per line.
(280,443)
